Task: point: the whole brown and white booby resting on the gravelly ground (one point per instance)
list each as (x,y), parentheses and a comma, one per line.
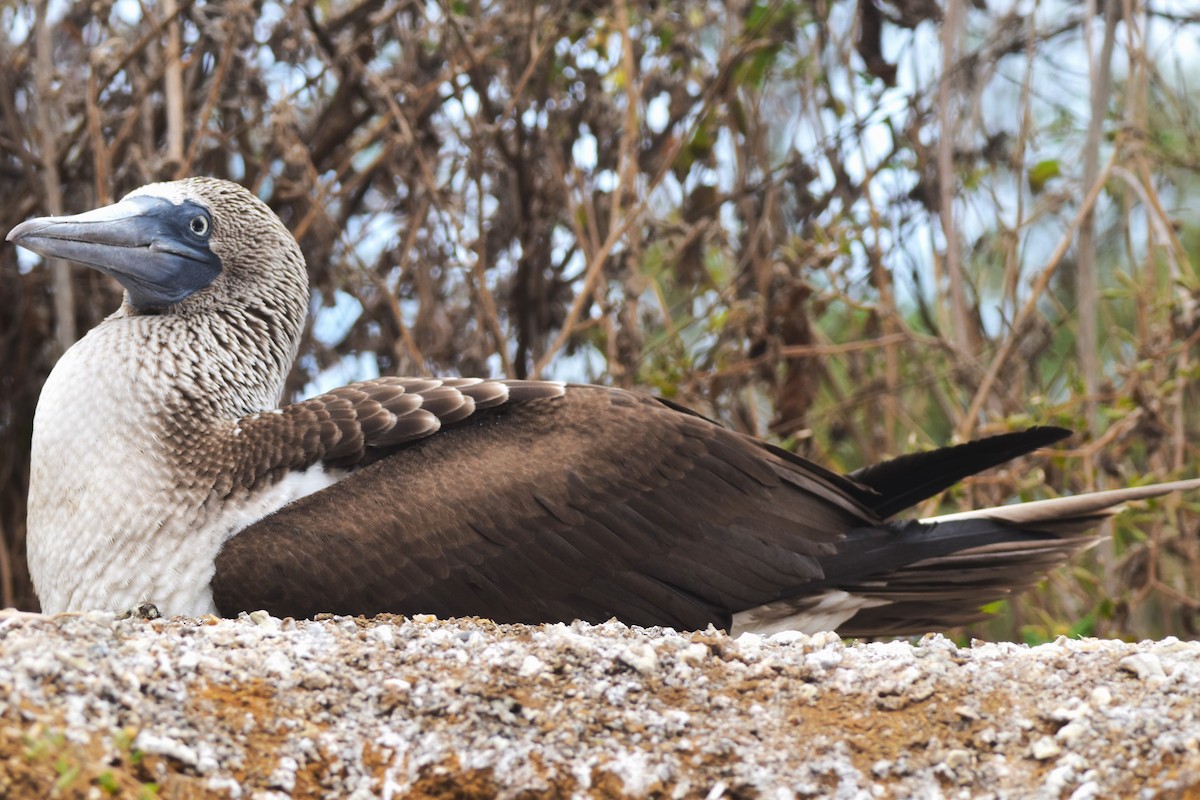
(165,471)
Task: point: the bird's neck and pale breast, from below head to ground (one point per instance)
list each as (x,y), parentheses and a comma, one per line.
(134,438)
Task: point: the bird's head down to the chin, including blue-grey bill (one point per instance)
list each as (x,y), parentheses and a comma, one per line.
(182,246)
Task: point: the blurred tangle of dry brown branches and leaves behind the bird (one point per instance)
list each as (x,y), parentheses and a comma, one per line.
(857,227)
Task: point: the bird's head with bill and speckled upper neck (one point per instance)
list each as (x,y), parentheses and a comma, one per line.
(217,288)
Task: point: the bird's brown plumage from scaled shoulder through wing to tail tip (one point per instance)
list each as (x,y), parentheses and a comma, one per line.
(527,502)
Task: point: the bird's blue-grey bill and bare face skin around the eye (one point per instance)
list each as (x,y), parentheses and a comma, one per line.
(157,249)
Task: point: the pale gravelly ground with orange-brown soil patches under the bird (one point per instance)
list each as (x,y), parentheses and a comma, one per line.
(421,708)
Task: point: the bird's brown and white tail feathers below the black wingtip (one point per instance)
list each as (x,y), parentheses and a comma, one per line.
(939,573)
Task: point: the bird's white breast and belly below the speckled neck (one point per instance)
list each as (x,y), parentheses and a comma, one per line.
(113,522)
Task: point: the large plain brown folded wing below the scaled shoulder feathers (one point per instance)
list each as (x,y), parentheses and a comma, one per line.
(596,504)
